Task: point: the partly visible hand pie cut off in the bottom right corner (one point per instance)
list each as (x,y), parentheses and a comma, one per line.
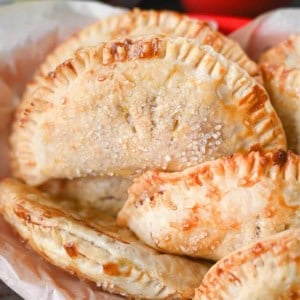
(269,269)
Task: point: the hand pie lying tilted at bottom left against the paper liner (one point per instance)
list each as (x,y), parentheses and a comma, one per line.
(93,247)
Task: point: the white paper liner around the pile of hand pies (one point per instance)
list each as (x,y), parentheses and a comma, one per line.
(28,31)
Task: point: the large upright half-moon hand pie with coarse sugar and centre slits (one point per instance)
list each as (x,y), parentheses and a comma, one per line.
(151,102)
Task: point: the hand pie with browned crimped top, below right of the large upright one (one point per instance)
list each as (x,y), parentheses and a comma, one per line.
(216,207)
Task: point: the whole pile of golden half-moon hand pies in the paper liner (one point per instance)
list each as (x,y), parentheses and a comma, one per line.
(146,149)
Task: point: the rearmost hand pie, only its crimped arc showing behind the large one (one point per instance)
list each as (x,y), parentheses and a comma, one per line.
(136,23)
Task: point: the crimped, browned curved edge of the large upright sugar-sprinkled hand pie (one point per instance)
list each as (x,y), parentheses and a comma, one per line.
(261,120)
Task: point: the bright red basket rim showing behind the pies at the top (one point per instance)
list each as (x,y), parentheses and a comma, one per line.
(226,24)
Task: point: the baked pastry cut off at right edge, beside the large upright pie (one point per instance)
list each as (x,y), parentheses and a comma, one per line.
(281,72)
